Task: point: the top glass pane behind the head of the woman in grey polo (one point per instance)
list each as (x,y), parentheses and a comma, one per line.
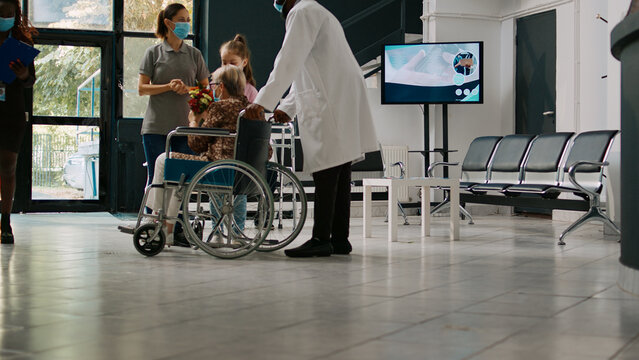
(141,15)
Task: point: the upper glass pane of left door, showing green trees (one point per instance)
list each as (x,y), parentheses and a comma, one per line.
(68,81)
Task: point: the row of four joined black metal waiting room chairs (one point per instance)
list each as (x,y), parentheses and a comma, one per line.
(545,165)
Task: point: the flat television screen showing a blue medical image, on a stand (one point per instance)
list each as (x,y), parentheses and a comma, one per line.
(433,73)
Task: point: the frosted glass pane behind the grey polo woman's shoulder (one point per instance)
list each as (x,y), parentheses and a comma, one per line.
(134,105)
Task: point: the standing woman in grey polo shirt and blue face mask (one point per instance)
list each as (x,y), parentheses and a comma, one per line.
(167,71)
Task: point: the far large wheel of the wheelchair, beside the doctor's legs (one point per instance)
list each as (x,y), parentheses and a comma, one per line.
(289,203)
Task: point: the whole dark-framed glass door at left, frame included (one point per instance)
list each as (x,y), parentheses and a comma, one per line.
(67,122)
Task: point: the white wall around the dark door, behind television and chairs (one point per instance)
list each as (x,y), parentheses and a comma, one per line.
(585,101)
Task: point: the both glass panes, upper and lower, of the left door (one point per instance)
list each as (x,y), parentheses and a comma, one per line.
(66,133)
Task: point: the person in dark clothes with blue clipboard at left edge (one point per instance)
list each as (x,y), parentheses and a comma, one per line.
(12,109)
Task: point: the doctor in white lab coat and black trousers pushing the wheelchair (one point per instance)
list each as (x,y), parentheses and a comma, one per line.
(328,94)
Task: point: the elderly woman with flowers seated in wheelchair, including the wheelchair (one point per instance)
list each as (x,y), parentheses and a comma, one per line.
(214,193)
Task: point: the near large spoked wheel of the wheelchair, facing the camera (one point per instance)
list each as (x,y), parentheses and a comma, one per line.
(234,203)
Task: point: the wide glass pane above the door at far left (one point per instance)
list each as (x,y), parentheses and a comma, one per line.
(72,14)
